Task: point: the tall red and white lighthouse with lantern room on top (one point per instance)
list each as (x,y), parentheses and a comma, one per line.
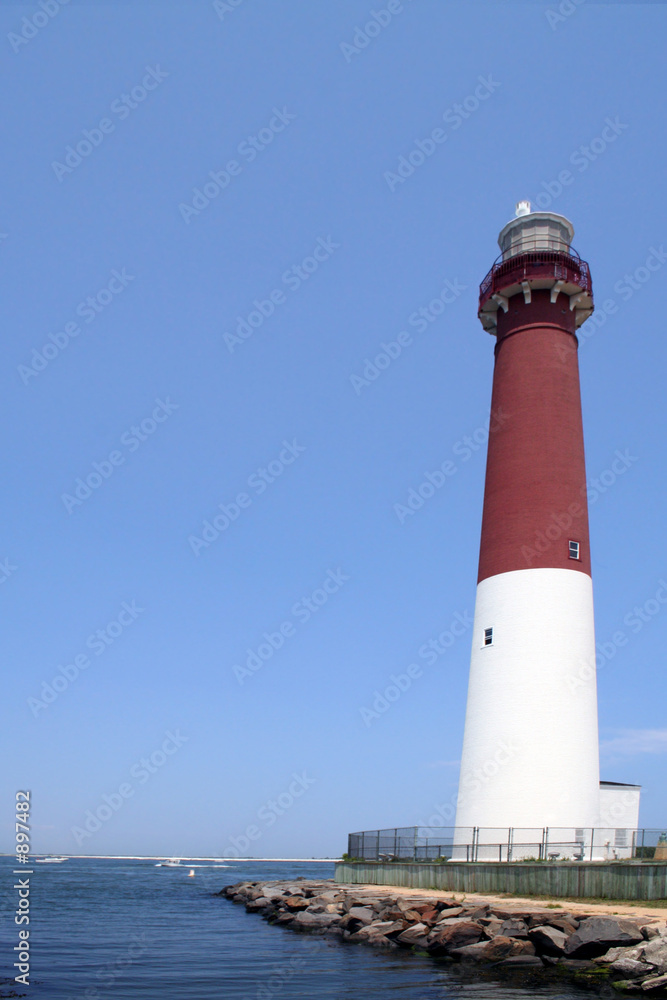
(530,757)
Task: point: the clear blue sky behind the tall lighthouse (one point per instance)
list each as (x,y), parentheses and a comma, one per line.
(311,211)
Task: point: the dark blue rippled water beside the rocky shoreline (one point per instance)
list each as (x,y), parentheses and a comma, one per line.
(103,929)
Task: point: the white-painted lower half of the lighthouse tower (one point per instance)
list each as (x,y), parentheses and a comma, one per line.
(530,751)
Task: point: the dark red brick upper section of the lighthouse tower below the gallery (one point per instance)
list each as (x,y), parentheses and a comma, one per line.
(535,474)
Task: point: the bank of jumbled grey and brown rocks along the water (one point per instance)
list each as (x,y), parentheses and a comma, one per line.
(628,954)
